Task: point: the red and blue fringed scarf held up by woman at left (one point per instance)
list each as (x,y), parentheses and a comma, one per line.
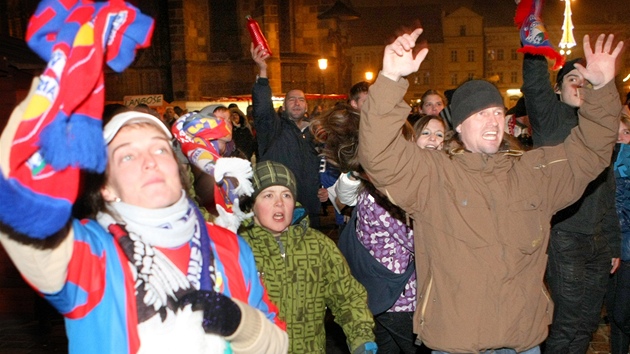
(60,129)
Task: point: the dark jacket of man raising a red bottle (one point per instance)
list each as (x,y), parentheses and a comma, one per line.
(280,140)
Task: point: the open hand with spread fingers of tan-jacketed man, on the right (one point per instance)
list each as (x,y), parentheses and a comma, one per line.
(600,63)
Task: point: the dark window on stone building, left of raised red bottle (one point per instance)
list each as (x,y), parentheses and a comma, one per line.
(224,28)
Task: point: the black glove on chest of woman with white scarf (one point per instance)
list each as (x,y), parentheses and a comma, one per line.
(221,315)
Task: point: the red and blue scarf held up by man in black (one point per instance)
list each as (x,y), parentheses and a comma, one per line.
(534,36)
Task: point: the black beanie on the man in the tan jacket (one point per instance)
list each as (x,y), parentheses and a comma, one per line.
(472,97)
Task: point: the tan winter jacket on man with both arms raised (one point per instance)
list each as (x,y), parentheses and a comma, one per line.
(482,221)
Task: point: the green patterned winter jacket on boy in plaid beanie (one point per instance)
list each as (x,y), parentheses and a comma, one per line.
(304,273)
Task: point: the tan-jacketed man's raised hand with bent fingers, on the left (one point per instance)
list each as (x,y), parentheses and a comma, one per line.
(399,60)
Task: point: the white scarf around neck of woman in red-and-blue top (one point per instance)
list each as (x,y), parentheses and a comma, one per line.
(157,280)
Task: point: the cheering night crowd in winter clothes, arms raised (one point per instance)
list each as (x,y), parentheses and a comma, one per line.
(200,231)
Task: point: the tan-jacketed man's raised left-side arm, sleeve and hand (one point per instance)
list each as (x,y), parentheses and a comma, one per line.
(392,163)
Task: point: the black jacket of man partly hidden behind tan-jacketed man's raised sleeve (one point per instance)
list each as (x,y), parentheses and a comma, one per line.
(552,121)
